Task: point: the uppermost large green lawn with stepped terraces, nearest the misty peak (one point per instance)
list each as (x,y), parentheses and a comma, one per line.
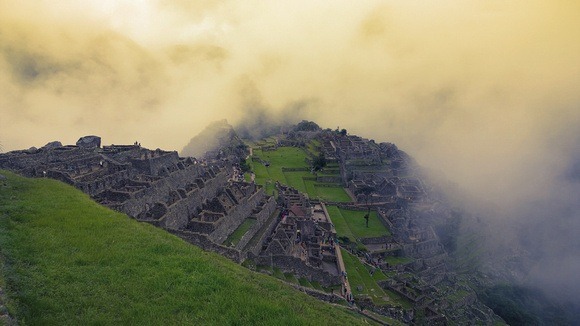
(290,166)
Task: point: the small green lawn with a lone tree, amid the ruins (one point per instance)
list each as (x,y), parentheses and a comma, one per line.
(352,224)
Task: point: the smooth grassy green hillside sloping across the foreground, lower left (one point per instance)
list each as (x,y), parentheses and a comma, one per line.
(67,260)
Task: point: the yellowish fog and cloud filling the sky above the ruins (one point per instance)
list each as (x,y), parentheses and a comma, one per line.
(484,93)
